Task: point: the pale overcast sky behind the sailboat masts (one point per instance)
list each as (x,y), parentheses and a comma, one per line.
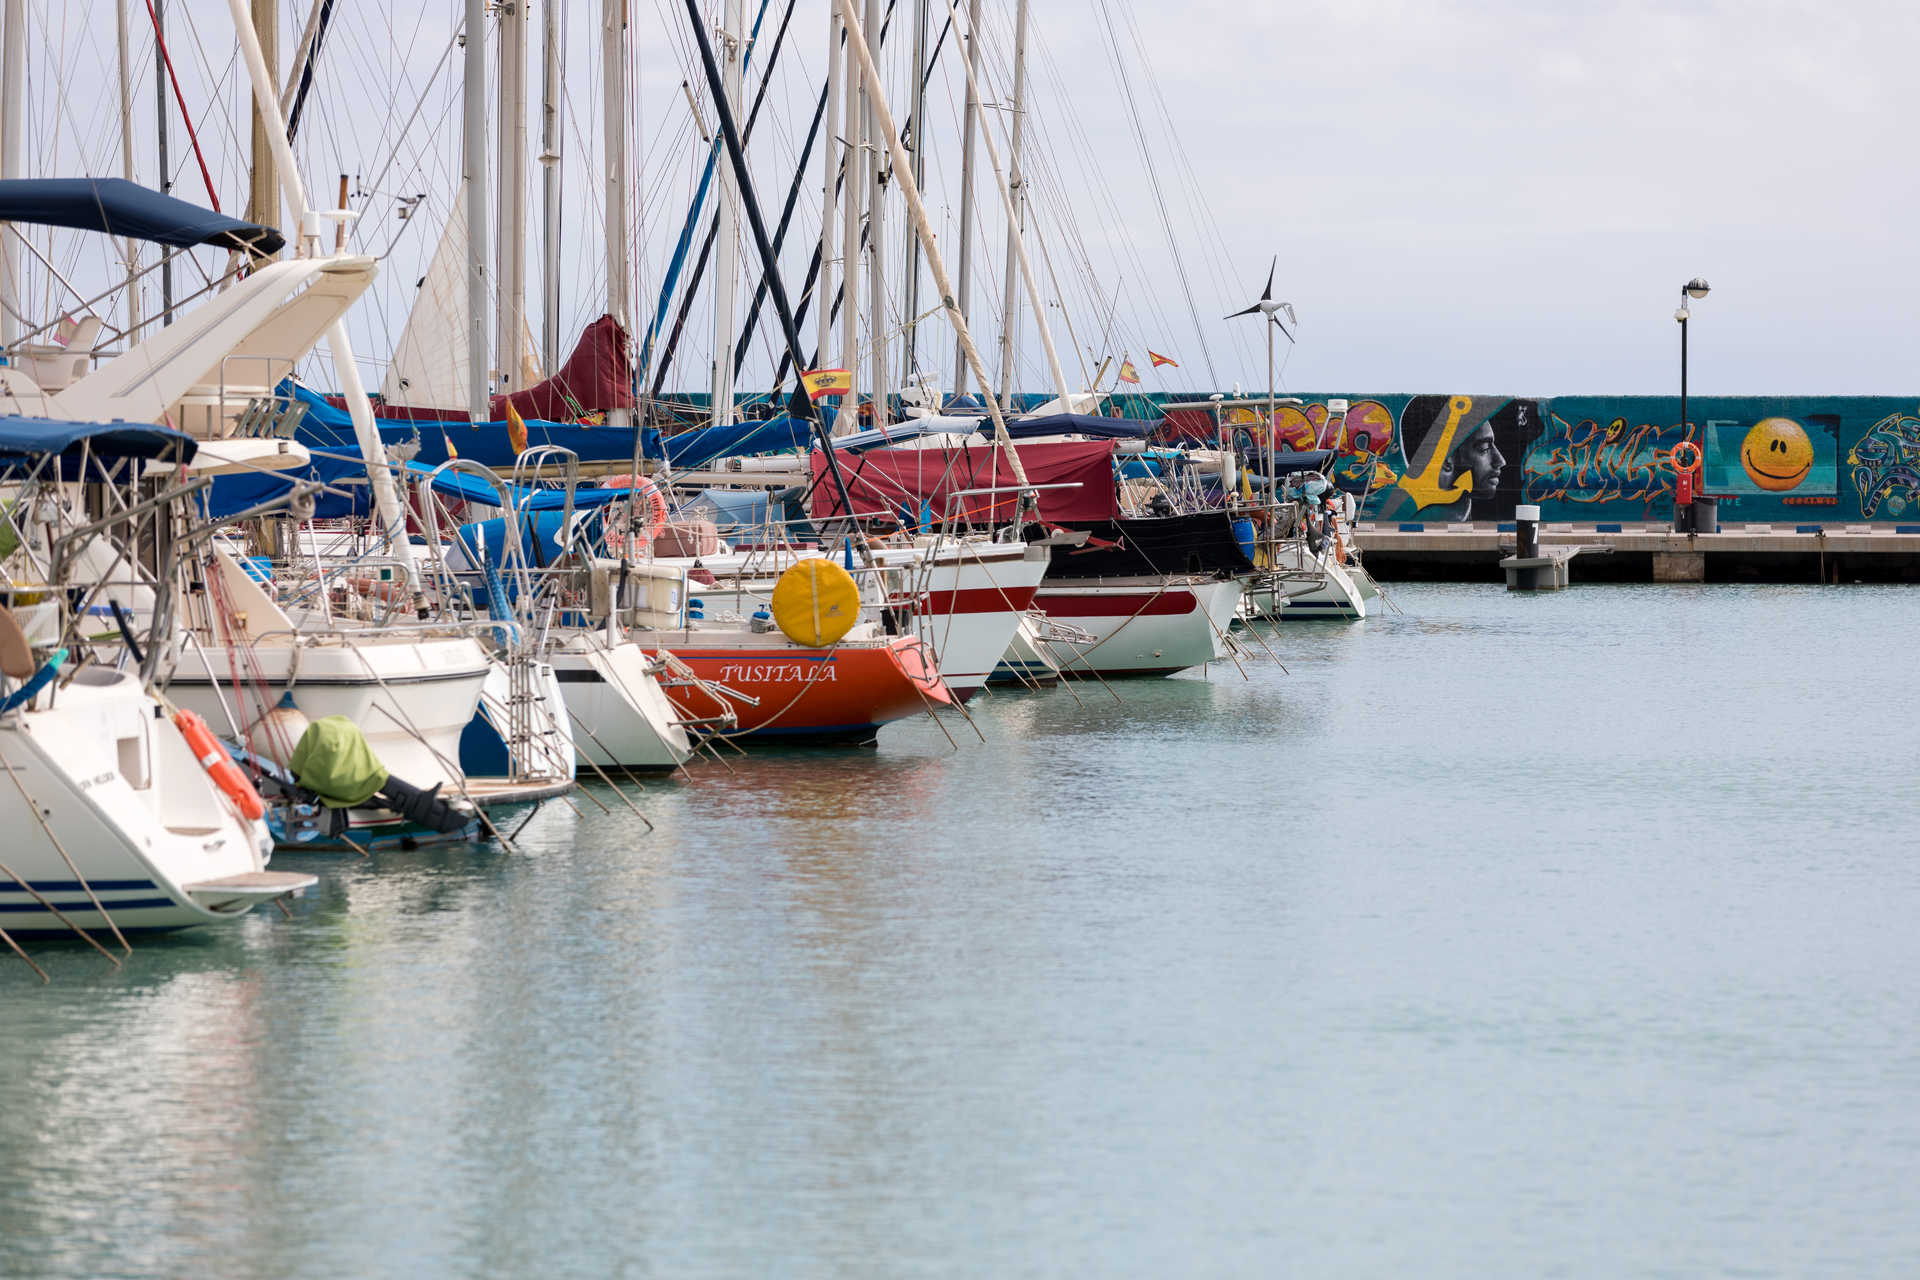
(1462,197)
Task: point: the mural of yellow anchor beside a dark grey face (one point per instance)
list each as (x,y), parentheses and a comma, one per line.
(1462,458)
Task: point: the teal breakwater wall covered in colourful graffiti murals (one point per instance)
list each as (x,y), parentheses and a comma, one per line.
(1439,460)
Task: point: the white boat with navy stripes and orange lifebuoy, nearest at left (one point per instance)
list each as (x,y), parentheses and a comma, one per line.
(120,815)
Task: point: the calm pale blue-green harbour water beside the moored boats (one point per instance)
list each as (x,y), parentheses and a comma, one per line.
(1564,936)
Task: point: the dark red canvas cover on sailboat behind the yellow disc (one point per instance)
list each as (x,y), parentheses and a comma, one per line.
(886,481)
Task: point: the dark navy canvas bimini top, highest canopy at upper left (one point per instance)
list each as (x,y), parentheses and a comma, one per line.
(122,208)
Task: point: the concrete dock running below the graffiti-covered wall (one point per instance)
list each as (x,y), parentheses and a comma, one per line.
(1472,552)
